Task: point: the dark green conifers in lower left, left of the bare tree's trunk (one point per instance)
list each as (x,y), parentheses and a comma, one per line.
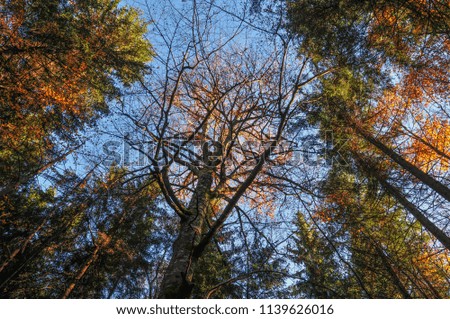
(97,238)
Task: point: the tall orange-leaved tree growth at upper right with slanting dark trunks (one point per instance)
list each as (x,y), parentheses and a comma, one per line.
(395,118)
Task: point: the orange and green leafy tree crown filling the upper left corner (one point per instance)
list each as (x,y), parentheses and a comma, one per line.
(60,61)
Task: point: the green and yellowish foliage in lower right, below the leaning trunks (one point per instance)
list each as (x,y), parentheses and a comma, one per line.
(366,233)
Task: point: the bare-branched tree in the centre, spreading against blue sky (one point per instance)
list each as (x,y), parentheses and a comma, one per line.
(215,112)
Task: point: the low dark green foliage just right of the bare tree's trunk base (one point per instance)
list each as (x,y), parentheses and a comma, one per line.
(248,270)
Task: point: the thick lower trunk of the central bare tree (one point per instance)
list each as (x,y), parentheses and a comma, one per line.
(177,281)
